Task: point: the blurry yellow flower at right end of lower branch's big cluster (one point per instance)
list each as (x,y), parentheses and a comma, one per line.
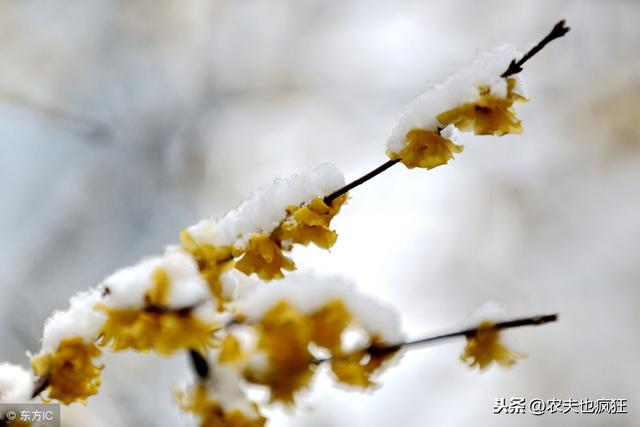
(357,368)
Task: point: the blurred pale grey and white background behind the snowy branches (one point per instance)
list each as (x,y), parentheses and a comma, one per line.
(122,122)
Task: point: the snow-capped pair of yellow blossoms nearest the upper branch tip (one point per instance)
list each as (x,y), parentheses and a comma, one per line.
(473,99)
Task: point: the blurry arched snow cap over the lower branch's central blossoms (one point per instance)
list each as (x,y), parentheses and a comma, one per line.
(309,292)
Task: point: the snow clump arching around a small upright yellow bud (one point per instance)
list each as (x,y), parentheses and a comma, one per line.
(126,288)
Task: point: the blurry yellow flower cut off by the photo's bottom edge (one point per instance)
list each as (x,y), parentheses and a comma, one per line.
(212,414)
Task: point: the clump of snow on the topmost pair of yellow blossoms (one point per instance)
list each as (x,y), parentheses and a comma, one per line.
(459,88)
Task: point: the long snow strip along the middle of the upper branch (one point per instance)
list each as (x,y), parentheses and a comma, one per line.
(265,209)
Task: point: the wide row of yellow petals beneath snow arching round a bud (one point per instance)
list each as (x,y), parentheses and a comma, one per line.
(154,329)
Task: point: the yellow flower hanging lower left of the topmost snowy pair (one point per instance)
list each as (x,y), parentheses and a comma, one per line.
(425,149)
